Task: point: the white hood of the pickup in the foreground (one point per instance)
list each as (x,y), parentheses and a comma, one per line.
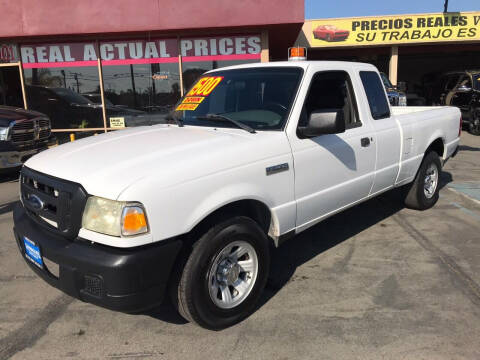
(107,164)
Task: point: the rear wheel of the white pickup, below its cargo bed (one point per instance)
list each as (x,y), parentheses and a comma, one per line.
(422,195)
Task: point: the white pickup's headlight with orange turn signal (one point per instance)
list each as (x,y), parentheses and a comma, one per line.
(115,218)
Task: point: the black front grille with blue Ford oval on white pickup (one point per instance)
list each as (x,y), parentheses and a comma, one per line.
(54,203)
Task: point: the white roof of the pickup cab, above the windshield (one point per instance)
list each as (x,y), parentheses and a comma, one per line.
(303,64)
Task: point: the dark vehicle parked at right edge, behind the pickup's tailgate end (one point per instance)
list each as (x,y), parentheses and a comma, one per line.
(462,89)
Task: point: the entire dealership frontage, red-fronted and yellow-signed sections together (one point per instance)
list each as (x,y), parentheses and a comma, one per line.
(93,67)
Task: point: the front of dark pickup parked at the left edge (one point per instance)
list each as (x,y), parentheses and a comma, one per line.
(23,133)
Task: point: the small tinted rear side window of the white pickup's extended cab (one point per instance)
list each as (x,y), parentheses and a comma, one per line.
(376,96)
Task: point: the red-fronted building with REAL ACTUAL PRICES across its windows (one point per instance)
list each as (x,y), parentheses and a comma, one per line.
(93,67)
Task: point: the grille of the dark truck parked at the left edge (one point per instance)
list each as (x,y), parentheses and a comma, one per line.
(30,130)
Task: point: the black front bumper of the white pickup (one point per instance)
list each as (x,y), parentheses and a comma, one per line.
(128,280)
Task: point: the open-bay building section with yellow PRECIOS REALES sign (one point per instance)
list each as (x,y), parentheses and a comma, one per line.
(415,51)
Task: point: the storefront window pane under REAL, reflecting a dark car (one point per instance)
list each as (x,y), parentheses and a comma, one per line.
(59,92)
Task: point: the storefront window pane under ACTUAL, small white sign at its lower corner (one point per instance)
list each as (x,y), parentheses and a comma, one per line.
(141,94)
